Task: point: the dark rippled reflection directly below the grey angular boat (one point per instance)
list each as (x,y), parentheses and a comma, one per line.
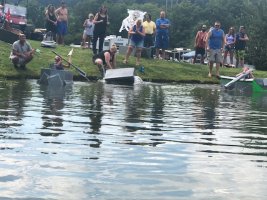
(52,114)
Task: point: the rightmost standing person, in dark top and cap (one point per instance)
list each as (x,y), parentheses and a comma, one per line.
(240,46)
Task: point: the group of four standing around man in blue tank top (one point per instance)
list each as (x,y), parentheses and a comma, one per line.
(218,45)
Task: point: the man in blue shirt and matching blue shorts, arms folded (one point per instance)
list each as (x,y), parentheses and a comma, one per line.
(162,34)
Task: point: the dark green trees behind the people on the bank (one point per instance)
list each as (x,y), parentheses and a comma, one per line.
(186,16)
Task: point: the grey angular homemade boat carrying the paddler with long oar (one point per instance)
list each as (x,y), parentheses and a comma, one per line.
(54,77)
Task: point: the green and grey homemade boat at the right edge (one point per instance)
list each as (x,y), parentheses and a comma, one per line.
(243,85)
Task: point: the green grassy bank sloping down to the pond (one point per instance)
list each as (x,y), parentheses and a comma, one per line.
(155,70)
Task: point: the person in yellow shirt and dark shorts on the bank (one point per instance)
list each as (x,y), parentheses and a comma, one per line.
(150,30)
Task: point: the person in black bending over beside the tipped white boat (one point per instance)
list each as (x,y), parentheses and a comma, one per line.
(106,59)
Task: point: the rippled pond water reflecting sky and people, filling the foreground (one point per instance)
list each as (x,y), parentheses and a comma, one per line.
(151,141)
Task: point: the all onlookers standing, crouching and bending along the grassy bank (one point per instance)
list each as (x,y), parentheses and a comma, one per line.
(144,34)
